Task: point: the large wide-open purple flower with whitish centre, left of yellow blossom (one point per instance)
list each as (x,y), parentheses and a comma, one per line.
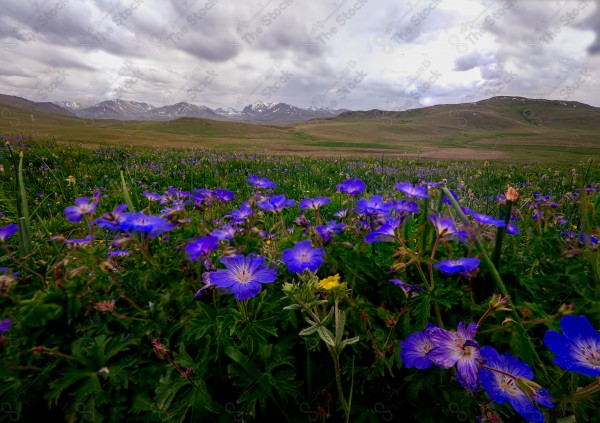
(243,276)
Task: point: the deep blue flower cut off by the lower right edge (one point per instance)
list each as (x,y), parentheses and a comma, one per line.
(578,350)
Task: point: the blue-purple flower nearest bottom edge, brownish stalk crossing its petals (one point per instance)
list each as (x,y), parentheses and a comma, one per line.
(501,387)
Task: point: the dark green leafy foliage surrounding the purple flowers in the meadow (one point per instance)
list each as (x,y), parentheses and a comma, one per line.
(66,358)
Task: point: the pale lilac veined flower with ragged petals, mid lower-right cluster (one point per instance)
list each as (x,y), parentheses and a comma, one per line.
(457,348)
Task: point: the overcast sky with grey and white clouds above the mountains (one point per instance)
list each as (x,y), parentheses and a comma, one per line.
(356,54)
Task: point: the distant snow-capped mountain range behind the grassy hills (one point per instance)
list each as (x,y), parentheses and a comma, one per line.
(260,113)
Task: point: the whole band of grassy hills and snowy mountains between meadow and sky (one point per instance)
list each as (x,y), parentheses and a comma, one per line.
(505,127)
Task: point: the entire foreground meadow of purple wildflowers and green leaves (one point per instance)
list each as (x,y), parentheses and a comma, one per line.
(176,285)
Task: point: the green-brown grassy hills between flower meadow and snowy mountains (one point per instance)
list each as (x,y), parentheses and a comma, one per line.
(490,129)
